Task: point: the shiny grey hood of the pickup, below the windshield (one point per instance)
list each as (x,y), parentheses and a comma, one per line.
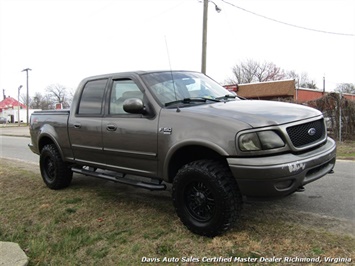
(258,113)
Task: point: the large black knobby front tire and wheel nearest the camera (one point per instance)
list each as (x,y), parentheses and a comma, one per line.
(206,197)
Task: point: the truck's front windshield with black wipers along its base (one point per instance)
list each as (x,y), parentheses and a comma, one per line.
(174,87)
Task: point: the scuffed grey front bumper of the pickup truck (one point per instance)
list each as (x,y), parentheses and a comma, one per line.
(281,175)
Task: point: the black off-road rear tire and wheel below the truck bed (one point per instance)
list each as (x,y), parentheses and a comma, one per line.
(55,172)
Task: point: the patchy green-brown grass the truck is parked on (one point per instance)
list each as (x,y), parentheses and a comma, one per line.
(96,222)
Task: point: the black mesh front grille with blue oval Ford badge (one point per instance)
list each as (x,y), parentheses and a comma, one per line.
(307,133)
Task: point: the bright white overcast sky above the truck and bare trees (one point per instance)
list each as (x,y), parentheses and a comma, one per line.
(64,41)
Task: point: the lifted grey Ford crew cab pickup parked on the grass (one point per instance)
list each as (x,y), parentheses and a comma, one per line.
(183,128)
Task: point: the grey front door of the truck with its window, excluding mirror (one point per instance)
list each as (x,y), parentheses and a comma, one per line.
(129,140)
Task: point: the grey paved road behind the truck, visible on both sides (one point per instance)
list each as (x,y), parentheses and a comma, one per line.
(333,195)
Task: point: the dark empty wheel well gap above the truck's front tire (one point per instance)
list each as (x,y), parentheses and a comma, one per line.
(189,154)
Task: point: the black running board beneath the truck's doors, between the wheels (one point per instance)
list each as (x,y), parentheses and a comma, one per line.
(120,179)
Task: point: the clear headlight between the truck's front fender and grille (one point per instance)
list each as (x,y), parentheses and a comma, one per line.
(263,140)
